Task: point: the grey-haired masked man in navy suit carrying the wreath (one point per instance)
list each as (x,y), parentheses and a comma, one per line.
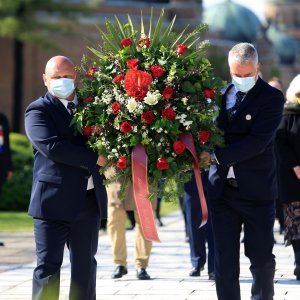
(242,184)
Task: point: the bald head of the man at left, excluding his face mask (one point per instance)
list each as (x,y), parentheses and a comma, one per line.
(59,67)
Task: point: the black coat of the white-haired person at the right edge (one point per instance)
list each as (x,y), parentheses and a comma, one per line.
(288,146)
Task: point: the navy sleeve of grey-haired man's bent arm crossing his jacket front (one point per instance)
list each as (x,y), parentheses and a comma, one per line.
(262,132)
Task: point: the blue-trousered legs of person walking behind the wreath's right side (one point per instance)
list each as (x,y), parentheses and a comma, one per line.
(197,237)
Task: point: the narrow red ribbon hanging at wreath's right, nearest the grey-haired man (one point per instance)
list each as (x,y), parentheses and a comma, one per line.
(187,138)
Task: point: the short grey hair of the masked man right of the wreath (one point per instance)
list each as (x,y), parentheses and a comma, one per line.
(243,53)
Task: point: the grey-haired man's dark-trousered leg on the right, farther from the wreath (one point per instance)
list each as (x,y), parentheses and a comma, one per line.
(259,217)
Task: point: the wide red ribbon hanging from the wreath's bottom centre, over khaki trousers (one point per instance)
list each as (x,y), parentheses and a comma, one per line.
(140,192)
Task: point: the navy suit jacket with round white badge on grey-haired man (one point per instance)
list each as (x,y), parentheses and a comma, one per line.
(249,144)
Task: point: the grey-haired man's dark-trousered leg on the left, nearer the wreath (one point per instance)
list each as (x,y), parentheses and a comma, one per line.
(227,225)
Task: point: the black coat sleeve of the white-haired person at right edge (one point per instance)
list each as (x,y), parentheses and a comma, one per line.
(286,154)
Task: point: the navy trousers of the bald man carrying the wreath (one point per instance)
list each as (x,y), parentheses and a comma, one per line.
(81,237)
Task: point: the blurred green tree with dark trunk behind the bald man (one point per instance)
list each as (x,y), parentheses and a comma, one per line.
(27,21)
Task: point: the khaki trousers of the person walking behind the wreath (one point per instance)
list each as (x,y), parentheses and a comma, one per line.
(116,228)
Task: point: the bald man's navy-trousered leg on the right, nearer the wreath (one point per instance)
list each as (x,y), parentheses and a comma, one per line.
(83,245)
